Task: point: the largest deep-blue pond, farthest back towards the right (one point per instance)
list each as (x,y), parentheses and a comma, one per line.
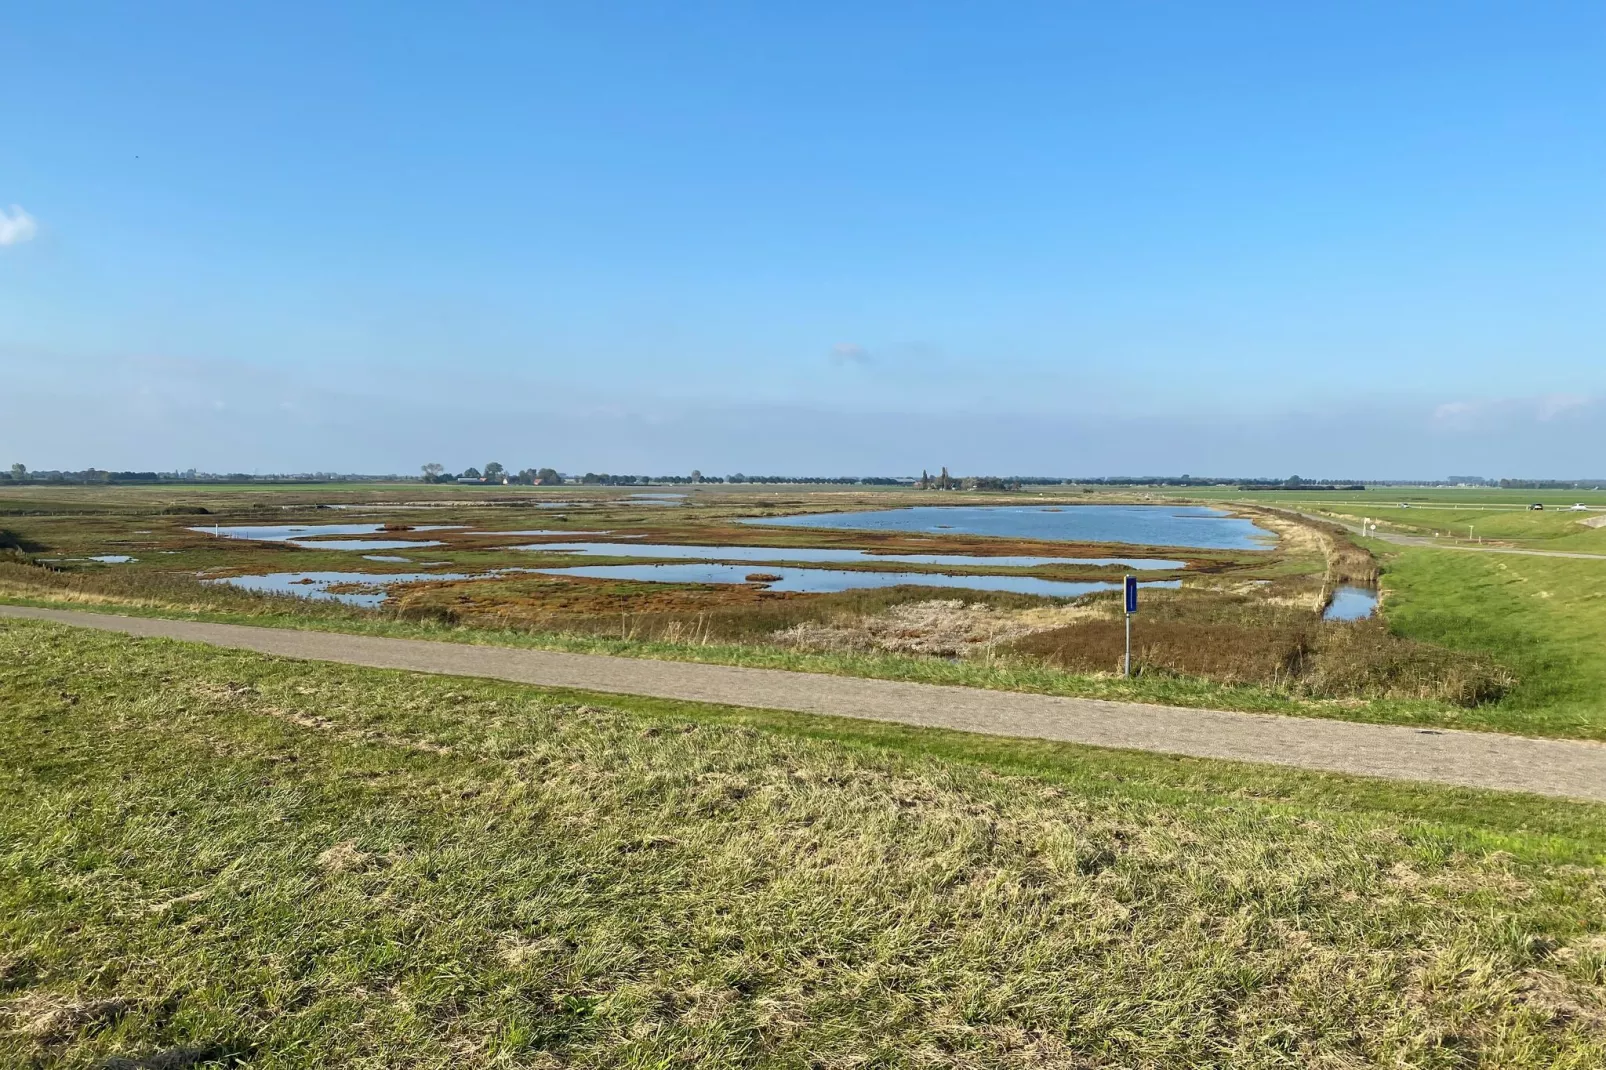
(1143,526)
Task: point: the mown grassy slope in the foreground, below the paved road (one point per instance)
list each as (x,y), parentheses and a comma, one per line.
(213,857)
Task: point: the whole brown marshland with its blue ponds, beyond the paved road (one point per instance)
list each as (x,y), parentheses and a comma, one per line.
(1249,602)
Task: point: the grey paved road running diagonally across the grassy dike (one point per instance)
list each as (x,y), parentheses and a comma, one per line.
(1547,767)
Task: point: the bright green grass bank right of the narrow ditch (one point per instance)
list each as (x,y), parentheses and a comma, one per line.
(1546,618)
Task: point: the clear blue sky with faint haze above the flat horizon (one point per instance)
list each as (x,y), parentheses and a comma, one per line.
(1072,239)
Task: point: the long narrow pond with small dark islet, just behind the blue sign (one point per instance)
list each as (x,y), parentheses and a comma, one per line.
(829,581)
